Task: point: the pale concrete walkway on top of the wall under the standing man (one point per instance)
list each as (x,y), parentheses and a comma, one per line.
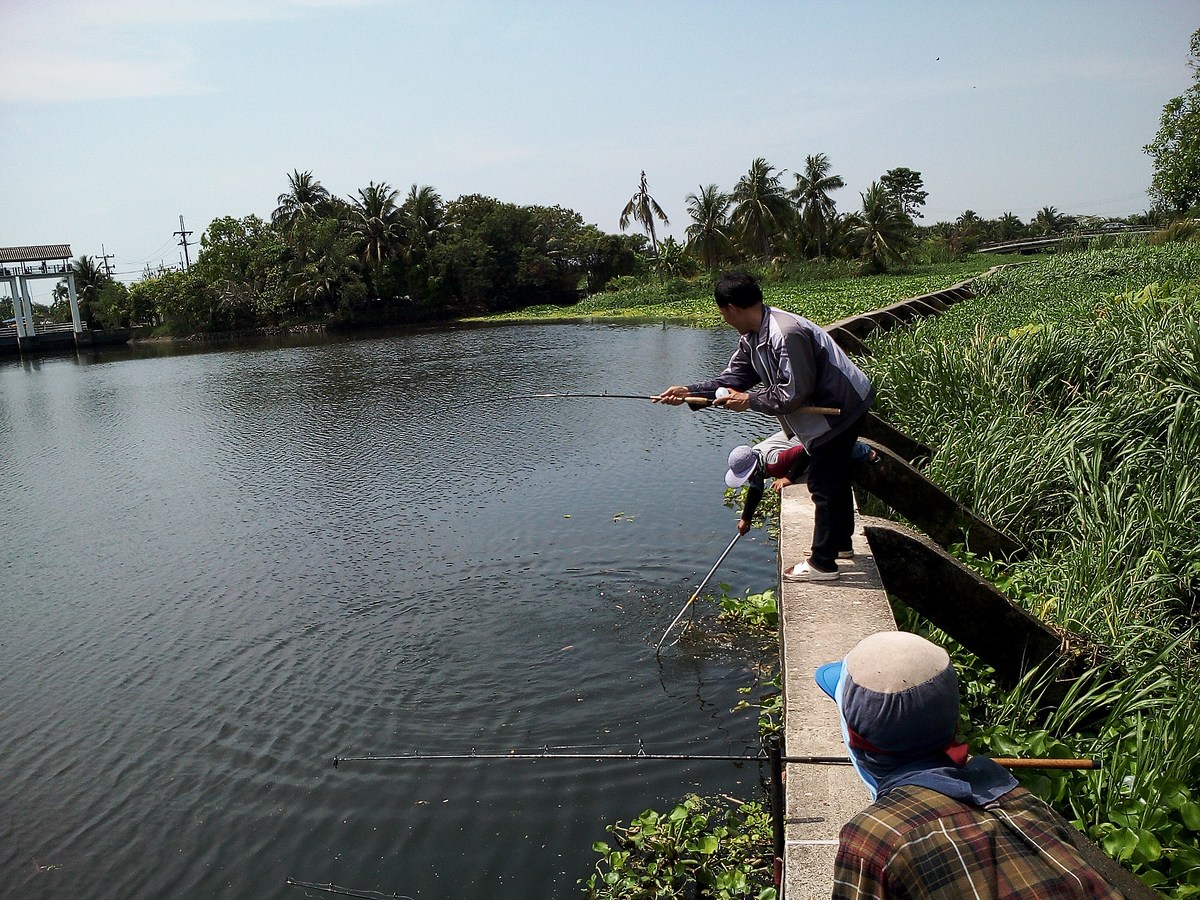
(819,623)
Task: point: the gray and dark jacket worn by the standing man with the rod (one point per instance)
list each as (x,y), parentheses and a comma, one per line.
(797,364)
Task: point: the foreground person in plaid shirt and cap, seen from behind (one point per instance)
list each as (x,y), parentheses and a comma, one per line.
(940,825)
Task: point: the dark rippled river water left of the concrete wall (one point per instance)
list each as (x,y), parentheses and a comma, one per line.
(221,569)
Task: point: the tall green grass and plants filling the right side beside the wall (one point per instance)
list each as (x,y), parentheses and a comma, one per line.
(1064,405)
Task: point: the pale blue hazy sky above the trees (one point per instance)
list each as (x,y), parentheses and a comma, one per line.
(121,116)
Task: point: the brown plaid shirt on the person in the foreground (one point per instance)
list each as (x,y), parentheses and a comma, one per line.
(916,843)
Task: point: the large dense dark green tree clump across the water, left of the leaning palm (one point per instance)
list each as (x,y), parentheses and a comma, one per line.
(374,259)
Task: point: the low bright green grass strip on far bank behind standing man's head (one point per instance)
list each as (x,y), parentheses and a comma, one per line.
(823,295)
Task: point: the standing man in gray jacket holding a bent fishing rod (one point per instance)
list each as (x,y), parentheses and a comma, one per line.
(797,364)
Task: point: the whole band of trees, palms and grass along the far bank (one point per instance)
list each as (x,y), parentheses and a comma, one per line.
(382,259)
